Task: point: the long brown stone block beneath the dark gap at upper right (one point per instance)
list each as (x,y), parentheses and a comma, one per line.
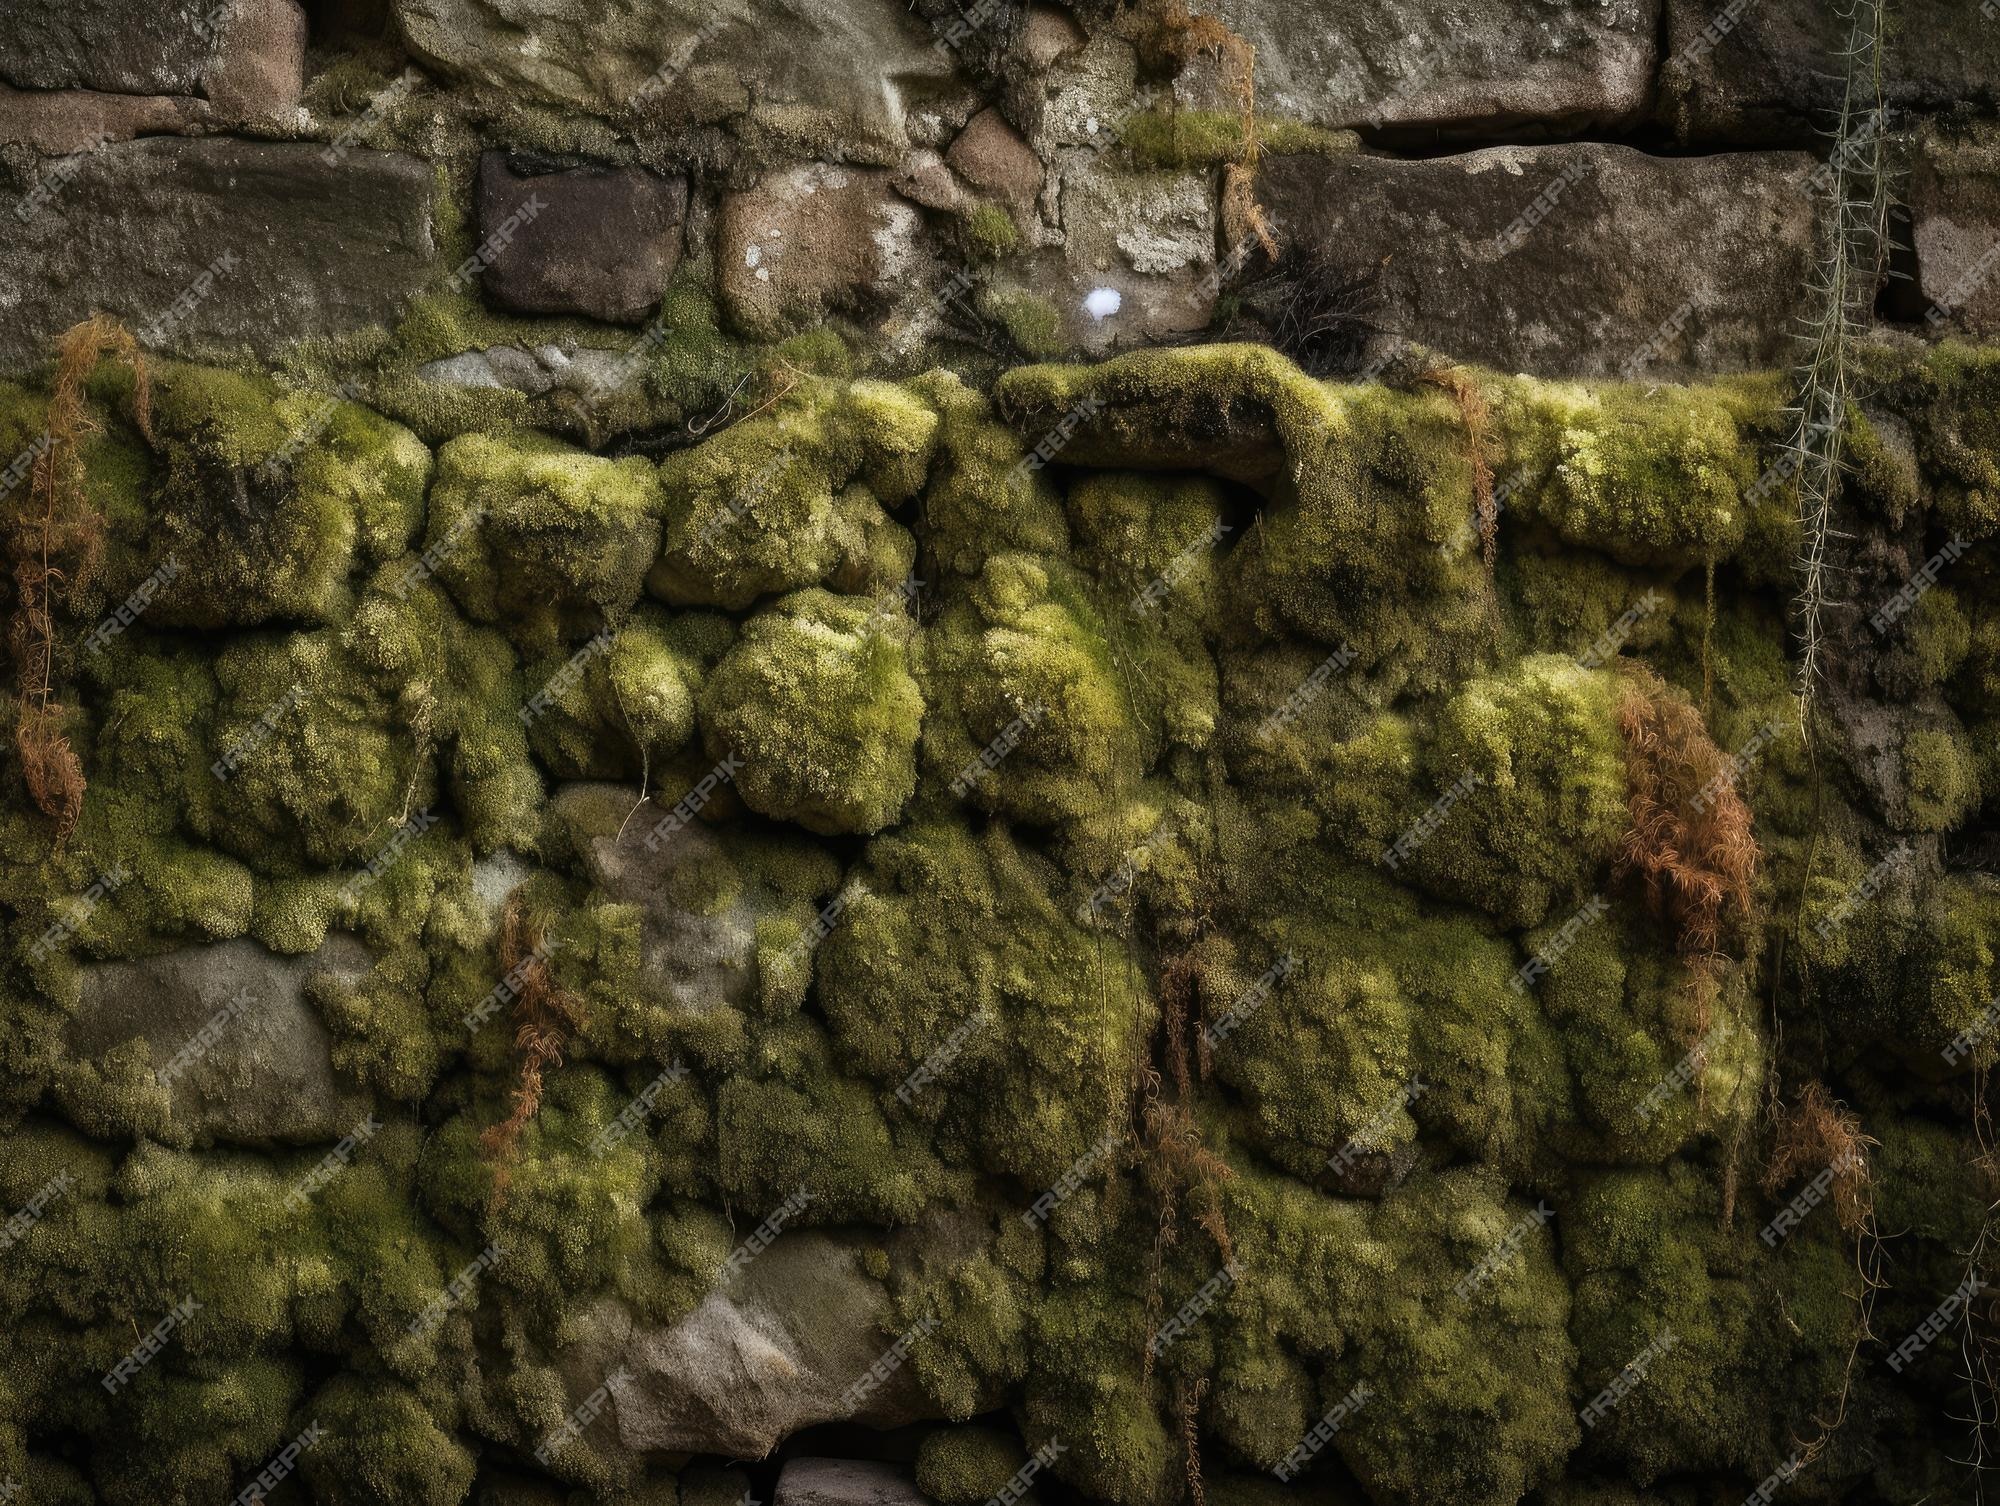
(1627,245)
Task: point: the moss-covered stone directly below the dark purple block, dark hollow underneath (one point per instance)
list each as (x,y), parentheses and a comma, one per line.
(541,537)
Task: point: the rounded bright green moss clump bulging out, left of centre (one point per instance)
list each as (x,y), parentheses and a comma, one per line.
(817,709)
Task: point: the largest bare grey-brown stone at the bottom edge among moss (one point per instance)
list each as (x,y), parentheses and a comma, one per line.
(767,1353)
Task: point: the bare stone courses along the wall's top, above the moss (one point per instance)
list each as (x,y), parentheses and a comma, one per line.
(951,187)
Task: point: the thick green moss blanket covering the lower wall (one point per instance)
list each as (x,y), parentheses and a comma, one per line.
(943,1011)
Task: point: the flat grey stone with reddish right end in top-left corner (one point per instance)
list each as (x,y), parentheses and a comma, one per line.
(221,49)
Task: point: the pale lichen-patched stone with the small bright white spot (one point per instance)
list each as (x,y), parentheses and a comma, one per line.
(1151,237)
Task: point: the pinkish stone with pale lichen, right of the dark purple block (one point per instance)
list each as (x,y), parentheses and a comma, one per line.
(811,241)
